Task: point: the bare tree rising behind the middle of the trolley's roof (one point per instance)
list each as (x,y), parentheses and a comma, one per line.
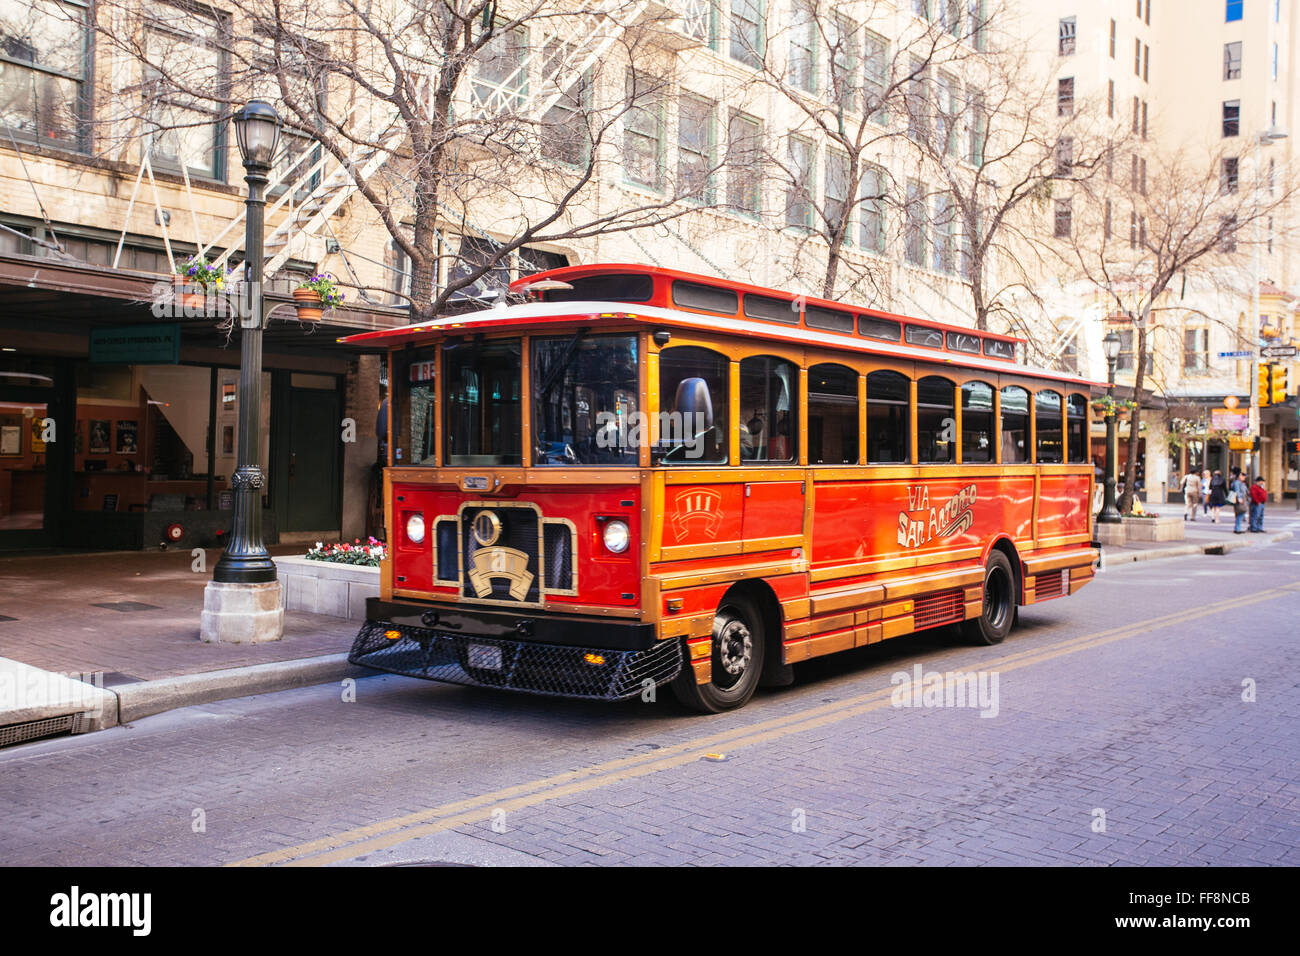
(850,77)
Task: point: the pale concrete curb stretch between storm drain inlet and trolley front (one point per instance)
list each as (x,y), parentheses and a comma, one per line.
(170,694)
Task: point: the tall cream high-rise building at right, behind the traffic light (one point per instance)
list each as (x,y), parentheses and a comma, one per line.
(1195,81)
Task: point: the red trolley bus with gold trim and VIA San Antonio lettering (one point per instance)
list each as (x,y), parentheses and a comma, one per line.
(642,477)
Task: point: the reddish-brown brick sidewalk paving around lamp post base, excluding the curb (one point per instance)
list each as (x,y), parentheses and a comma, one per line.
(58,626)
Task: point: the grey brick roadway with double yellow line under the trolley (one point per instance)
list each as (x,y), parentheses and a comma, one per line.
(1146,724)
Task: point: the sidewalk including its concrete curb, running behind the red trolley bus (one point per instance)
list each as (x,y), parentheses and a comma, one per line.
(128,625)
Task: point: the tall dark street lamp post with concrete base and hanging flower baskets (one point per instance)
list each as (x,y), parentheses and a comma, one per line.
(242,602)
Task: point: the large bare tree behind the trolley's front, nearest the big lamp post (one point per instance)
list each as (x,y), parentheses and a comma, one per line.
(471,129)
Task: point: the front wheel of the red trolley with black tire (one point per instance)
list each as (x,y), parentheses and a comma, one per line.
(740,647)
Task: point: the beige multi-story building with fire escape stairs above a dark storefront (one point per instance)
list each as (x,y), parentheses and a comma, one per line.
(115,175)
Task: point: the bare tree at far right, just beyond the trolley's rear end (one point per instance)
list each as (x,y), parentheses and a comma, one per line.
(1178,215)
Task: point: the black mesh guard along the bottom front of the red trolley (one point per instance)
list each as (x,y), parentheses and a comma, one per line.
(560,672)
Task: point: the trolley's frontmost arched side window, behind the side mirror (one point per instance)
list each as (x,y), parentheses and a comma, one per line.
(694,406)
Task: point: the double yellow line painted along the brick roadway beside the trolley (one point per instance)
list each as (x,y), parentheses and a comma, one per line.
(359,841)
